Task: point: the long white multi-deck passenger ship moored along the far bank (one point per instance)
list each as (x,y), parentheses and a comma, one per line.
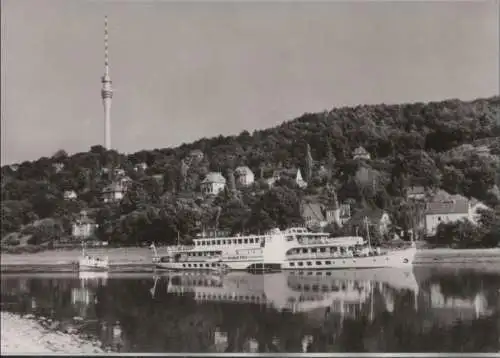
(293,248)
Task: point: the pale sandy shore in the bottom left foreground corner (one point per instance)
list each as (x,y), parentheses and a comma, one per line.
(24,335)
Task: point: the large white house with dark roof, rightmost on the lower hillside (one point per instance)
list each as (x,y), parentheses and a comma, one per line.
(444,208)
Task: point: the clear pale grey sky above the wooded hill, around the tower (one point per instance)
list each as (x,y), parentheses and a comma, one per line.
(186,70)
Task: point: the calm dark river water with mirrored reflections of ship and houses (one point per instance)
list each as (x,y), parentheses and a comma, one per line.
(381,310)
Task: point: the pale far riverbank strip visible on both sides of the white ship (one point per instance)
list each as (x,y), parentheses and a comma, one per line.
(139,259)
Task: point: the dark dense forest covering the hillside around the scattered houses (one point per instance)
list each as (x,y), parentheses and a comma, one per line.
(453,145)
